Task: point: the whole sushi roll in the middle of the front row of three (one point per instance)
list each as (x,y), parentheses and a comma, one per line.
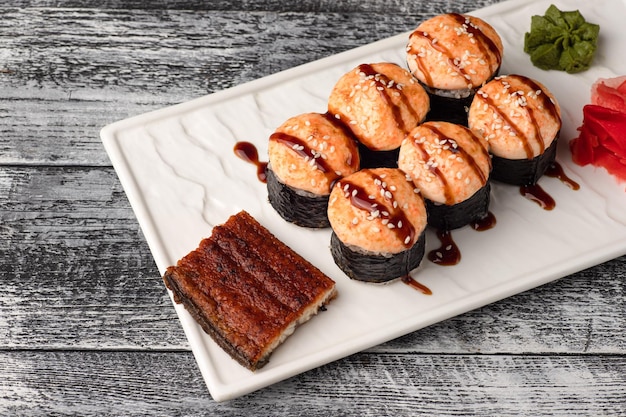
(450,165)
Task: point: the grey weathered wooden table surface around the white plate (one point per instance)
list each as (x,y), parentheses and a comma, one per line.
(86,326)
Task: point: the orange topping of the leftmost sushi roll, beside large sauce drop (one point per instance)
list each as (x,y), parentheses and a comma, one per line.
(311,151)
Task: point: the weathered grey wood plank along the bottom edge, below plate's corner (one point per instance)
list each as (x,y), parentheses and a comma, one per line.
(133,383)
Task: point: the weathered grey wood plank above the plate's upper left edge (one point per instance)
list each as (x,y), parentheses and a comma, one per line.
(65,74)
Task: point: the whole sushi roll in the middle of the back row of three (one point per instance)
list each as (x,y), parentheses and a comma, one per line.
(380,103)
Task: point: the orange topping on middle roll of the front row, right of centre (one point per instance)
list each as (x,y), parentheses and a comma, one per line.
(446,161)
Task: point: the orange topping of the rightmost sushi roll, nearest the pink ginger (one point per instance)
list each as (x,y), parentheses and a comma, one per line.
(519,117)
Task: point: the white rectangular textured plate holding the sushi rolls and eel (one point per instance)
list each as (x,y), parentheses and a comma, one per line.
(181,176)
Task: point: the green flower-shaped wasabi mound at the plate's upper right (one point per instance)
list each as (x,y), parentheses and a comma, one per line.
(561,41)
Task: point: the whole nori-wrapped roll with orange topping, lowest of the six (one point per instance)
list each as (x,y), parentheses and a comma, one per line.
(378,221)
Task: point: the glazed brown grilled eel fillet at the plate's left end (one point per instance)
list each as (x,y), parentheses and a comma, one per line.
(247,289)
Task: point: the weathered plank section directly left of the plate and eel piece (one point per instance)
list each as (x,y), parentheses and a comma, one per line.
(77,270)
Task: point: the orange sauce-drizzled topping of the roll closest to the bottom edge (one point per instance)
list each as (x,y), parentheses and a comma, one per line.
(377,210)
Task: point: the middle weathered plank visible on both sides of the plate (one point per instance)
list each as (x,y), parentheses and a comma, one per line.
(78,274)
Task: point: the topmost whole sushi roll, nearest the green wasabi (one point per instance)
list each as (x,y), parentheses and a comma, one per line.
(452,55)
